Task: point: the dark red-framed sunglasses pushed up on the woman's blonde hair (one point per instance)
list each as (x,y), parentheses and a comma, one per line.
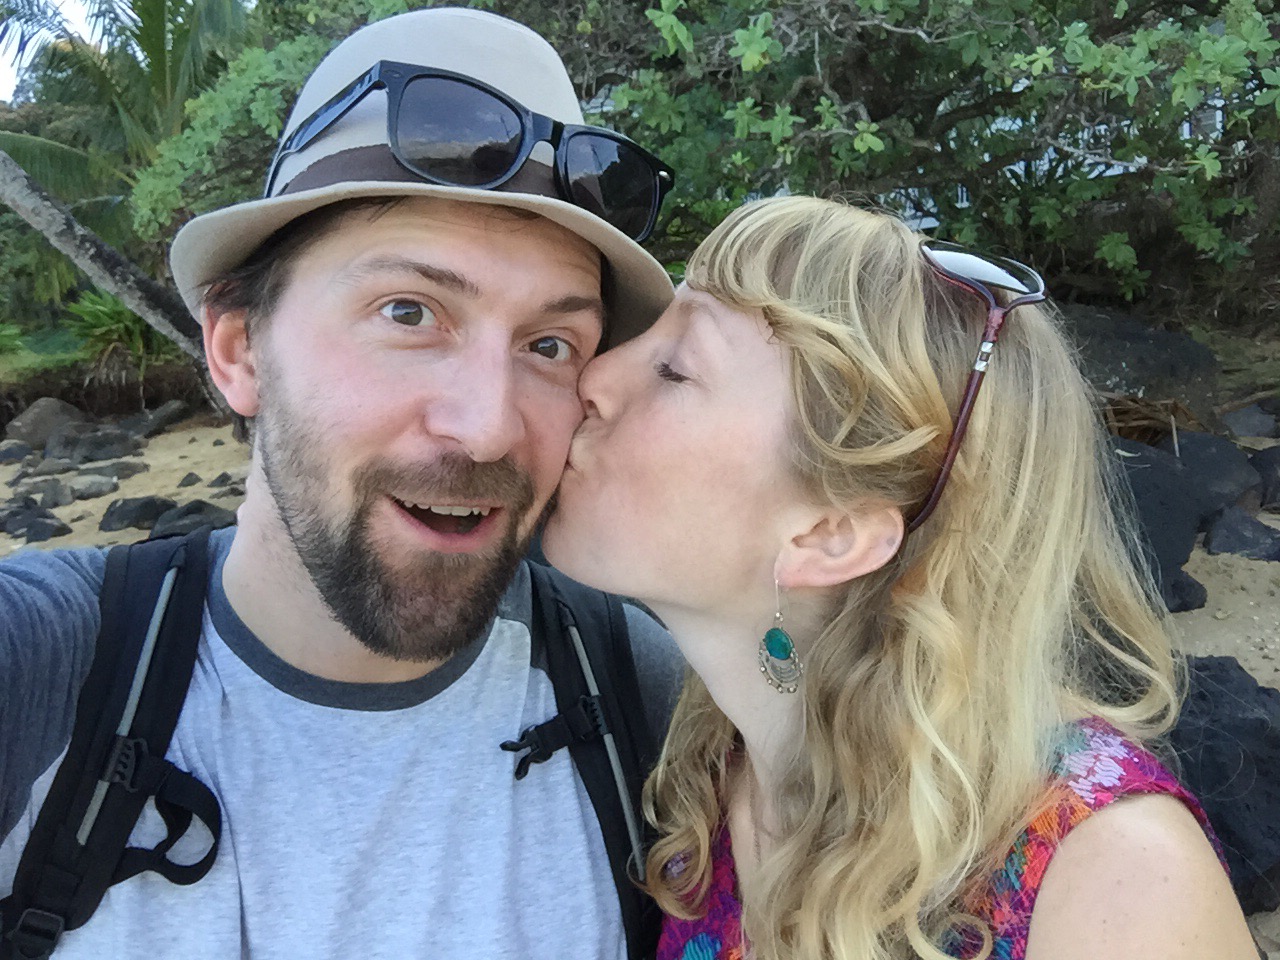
(981,276)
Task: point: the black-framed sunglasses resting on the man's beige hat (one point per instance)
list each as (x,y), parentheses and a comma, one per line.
(459,132)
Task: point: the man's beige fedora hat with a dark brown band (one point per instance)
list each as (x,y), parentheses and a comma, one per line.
(353,159)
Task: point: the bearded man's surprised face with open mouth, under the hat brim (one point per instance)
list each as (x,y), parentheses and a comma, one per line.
(417,395)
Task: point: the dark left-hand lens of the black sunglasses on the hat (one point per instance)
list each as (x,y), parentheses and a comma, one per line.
(455,132)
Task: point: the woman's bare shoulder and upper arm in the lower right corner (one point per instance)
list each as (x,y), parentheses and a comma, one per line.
(1139,880)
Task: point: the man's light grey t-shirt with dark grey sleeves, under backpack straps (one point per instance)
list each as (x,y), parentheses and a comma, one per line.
(359,820)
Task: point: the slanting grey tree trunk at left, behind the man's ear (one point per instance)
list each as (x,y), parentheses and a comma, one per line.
(157,304)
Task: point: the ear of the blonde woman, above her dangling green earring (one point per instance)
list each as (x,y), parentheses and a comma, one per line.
(839,546)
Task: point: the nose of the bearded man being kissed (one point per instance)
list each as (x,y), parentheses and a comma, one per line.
(481,412)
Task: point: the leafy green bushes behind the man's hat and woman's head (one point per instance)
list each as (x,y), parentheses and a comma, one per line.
(1130,149)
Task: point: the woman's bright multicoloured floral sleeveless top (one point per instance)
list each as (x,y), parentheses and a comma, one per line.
(1094,766)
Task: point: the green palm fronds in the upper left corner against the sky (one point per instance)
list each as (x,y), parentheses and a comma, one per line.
(92,111)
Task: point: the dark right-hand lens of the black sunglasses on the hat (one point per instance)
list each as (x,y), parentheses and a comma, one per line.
(614,181)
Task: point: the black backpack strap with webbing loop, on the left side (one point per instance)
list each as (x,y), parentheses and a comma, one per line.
(152,602)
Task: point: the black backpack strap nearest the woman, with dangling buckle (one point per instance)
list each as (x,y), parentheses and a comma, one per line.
(604,725)
